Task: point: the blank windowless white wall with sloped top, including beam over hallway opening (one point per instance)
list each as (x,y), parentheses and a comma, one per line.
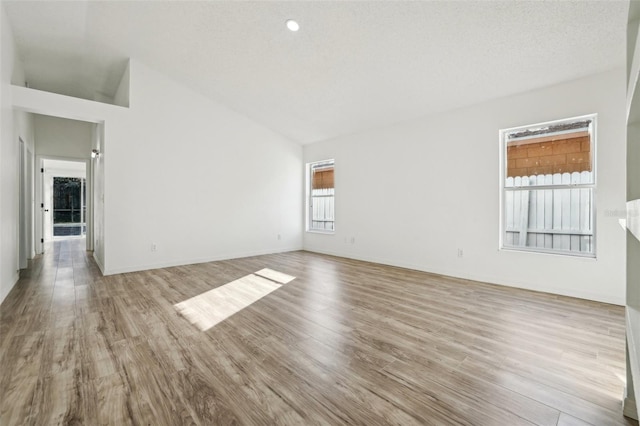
(185,173)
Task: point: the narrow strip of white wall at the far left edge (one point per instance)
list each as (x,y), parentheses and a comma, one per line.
(13,125)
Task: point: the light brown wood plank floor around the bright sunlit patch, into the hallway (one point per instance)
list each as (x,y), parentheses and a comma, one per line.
(345,342)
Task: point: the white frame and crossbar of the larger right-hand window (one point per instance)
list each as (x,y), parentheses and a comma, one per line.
(503,133)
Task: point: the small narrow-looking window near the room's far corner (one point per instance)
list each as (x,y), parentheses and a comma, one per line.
(321,195)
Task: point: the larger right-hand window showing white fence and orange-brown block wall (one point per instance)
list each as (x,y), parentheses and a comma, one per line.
(548,182)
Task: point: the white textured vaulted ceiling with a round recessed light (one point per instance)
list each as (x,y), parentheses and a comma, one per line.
(352,66)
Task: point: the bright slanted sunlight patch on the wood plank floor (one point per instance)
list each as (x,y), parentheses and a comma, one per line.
(214,306)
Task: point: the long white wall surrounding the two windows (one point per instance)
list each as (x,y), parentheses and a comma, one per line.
(413,193)
